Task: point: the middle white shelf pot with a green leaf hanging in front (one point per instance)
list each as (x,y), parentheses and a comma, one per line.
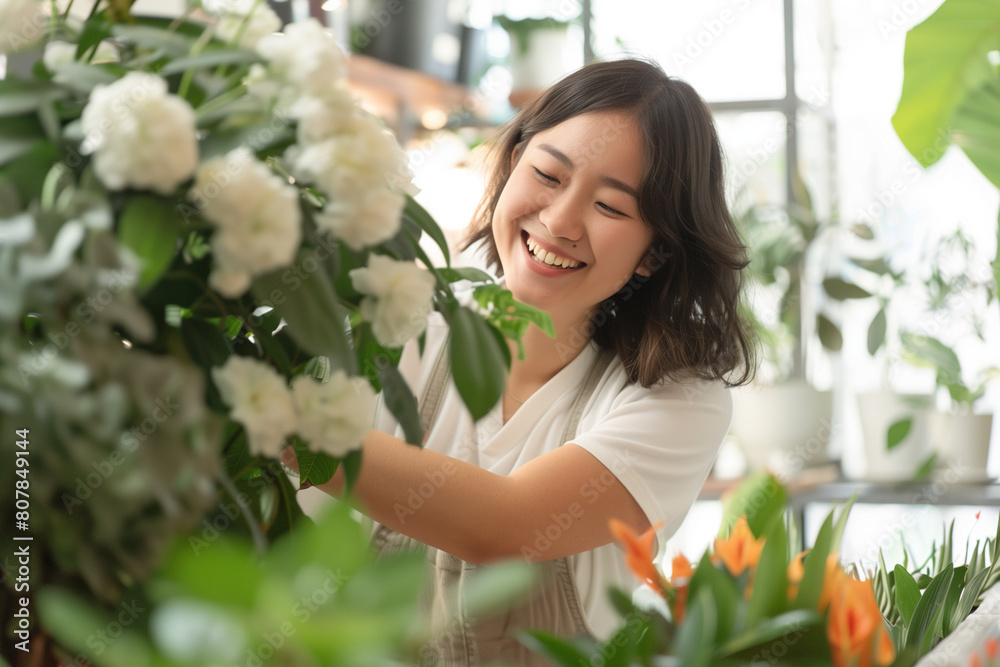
(879,411)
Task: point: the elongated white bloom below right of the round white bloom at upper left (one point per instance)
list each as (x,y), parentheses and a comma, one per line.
(258,216)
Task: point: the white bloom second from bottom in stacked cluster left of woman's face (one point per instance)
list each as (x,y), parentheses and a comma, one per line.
(365,156)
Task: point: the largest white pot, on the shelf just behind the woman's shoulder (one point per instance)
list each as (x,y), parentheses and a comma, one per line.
(783,427)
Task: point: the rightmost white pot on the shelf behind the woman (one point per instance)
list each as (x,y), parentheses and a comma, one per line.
(962,443)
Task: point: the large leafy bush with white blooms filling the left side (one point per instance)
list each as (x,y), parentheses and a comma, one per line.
(208,251)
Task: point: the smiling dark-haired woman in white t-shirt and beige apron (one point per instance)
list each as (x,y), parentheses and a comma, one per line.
(606,210)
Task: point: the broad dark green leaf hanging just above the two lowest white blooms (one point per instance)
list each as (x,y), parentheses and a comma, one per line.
(316,320)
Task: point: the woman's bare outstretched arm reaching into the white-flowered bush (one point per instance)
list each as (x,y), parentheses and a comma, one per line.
(556,505)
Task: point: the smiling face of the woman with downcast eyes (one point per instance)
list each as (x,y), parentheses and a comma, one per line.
(567,225)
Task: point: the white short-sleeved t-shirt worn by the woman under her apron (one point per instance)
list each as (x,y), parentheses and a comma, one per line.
(659,442)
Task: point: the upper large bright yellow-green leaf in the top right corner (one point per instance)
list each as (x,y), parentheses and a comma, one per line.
(945,57)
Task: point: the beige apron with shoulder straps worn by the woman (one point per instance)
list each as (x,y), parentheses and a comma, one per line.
(552,605)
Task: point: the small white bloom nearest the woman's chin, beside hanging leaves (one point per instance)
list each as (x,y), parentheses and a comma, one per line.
(398,301)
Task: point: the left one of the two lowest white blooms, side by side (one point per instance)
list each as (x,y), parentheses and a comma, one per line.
(260,400)
